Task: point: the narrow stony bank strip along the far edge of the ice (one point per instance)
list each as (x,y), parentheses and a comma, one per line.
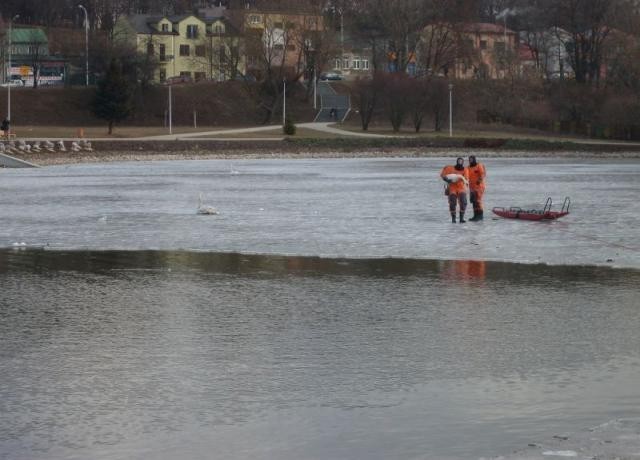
(151,150)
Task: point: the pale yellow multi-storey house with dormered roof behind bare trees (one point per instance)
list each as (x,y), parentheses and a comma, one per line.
(184,46)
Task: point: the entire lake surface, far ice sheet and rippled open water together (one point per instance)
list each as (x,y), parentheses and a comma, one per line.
(330,311)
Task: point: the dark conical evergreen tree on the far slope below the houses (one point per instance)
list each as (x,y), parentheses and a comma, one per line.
(112,101)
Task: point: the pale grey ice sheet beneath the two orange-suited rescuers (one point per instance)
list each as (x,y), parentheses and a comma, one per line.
(349,208)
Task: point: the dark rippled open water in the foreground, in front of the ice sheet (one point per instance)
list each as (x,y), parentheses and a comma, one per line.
(165,354)
